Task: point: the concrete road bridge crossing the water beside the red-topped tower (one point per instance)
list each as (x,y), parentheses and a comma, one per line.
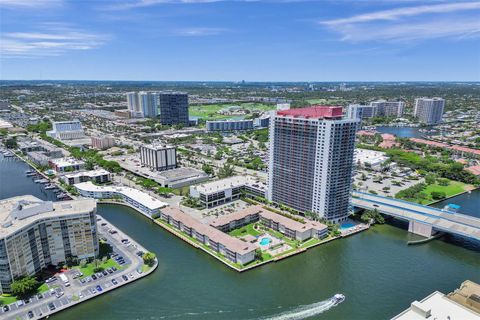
(423,220)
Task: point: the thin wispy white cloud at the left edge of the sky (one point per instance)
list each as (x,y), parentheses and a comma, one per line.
(52,41)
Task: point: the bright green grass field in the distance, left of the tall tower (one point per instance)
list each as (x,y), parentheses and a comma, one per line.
(209,111)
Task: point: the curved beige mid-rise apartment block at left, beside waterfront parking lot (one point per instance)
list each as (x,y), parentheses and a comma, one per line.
(35,234)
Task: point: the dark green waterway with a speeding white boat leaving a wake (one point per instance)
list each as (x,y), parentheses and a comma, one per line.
(377,272)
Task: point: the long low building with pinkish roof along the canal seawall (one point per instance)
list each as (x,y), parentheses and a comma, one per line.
(230,247)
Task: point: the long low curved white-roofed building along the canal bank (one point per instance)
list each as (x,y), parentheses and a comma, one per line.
(141,201)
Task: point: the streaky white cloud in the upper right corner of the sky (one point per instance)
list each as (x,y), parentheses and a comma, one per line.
(410,23)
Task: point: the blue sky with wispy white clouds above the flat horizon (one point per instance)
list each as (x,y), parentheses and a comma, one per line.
(251,40)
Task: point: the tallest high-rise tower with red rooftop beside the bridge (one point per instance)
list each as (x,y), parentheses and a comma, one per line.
(311,160)
